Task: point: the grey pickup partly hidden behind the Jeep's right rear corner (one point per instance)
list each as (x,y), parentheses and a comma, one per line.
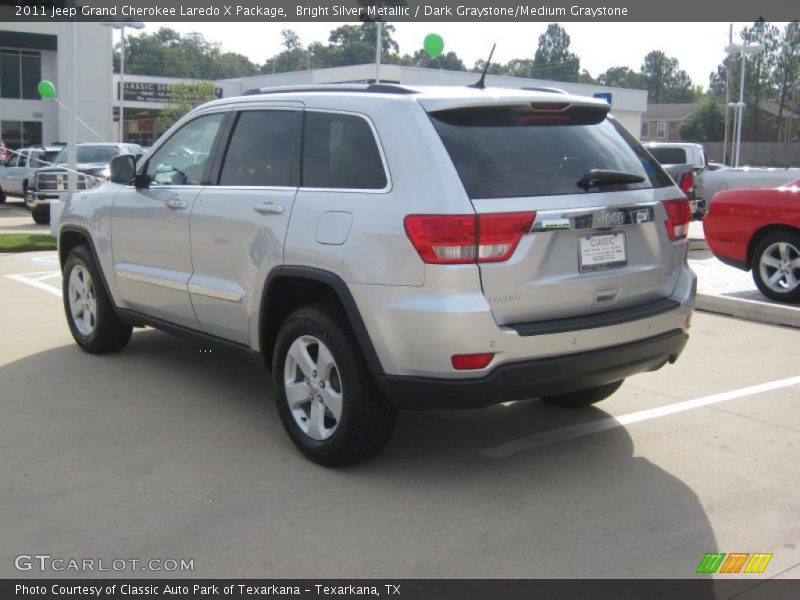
(686,163)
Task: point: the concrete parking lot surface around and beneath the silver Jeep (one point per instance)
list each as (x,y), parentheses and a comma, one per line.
(171,449)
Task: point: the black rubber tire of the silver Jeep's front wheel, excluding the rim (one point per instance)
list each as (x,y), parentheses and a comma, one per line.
(108,333)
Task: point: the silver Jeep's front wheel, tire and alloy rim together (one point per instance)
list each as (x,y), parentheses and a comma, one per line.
(90,314)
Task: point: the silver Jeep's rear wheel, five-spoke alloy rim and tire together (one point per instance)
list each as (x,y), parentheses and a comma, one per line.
(324,392)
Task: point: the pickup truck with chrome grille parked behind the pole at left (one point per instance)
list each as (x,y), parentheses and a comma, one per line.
(93,162)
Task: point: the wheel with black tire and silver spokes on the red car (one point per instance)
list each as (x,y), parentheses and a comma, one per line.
(787,288)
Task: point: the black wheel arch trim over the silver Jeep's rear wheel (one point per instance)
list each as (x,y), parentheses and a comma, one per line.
(290,287)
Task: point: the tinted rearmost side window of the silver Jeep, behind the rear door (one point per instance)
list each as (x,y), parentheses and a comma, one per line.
(340,151)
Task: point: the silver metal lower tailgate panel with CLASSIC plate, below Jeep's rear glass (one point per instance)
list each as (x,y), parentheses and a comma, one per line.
(583,259)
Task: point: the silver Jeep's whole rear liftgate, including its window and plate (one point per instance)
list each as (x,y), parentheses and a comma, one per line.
(599,239)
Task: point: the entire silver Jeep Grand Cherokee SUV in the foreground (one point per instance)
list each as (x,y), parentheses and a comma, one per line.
(386,247)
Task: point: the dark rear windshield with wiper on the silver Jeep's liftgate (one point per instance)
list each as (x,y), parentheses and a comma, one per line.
(505,152)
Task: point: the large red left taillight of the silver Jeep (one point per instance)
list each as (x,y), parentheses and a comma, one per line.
(459,239)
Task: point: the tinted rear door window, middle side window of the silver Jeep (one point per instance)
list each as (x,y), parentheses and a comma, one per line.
(263,150)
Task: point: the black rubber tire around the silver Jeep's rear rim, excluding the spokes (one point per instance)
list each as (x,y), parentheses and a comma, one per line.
(366,419)
